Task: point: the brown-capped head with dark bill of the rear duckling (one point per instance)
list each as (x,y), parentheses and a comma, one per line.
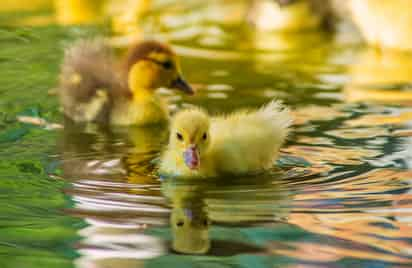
(151,65)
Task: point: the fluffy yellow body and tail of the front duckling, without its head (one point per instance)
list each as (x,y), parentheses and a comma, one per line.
(250,140)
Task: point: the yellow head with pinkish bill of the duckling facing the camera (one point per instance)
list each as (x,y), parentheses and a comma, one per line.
(190,136)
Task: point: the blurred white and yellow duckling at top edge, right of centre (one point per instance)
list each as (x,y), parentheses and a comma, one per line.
(290,15)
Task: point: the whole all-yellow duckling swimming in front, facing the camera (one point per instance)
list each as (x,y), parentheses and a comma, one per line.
(243,142)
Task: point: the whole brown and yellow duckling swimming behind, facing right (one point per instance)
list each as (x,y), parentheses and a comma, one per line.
(92,89)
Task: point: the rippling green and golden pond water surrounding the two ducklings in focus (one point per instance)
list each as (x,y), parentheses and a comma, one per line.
(87,197)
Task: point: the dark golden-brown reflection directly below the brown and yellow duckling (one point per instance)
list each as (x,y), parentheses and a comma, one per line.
(94,151)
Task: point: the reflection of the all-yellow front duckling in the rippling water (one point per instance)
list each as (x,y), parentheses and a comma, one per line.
(195,205)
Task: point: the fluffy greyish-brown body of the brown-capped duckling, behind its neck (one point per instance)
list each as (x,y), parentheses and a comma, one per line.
(87,80)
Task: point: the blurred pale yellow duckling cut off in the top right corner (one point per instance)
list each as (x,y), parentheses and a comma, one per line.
(384,23)
